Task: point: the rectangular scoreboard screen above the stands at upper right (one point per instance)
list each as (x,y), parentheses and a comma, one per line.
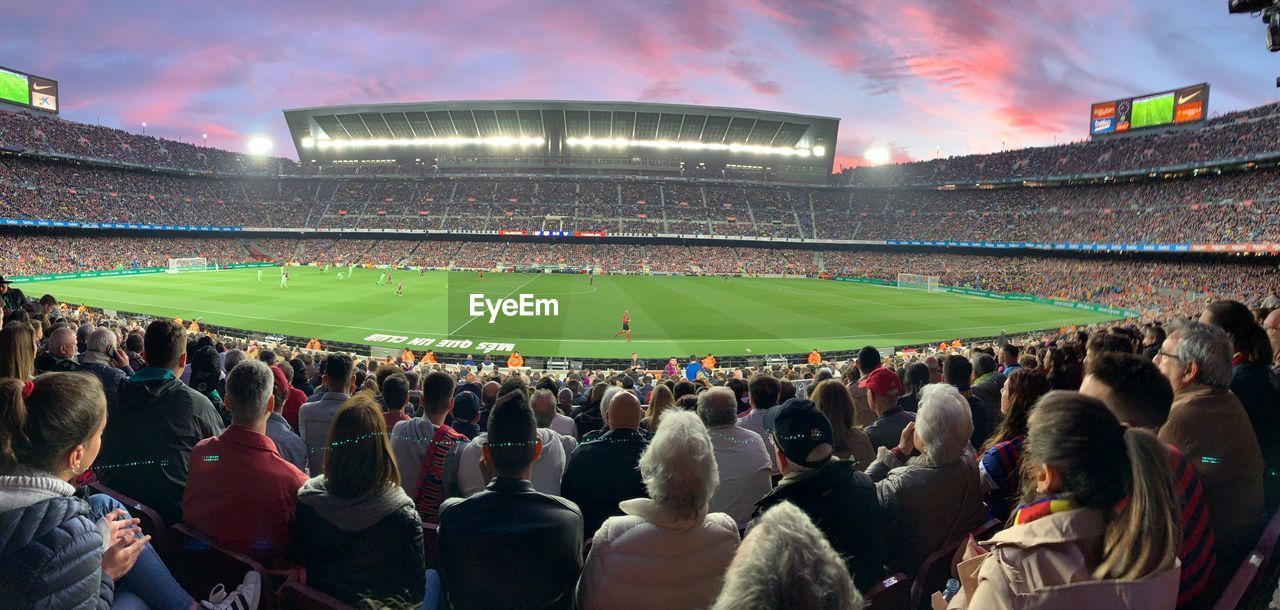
(1168,108)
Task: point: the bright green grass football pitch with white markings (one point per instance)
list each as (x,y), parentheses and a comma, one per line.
(670,317)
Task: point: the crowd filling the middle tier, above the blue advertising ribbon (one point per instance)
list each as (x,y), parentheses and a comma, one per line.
(1235,208)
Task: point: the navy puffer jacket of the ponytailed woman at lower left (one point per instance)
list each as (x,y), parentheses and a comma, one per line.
(52,558)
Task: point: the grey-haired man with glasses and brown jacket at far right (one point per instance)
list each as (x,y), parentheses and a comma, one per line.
(1209,426)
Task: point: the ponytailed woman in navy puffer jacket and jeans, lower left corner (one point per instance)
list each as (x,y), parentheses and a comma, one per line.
(61,552)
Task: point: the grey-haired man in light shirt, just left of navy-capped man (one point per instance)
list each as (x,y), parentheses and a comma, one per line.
(744,465)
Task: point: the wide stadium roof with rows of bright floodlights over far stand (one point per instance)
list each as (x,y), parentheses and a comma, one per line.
(560,129)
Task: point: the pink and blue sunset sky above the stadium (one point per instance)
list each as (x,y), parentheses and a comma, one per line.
(921,77)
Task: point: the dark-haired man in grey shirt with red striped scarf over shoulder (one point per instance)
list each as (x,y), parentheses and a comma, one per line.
(423,447)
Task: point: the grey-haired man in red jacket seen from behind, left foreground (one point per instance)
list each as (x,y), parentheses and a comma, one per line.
(249,515)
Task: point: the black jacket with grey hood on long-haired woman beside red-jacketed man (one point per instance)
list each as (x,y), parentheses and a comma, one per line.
(363,548)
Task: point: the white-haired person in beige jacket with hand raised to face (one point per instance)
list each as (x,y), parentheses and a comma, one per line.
(943,480)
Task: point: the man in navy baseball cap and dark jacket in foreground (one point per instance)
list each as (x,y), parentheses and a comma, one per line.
(839,499)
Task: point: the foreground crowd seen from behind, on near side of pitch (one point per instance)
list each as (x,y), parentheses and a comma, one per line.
(798,487)
